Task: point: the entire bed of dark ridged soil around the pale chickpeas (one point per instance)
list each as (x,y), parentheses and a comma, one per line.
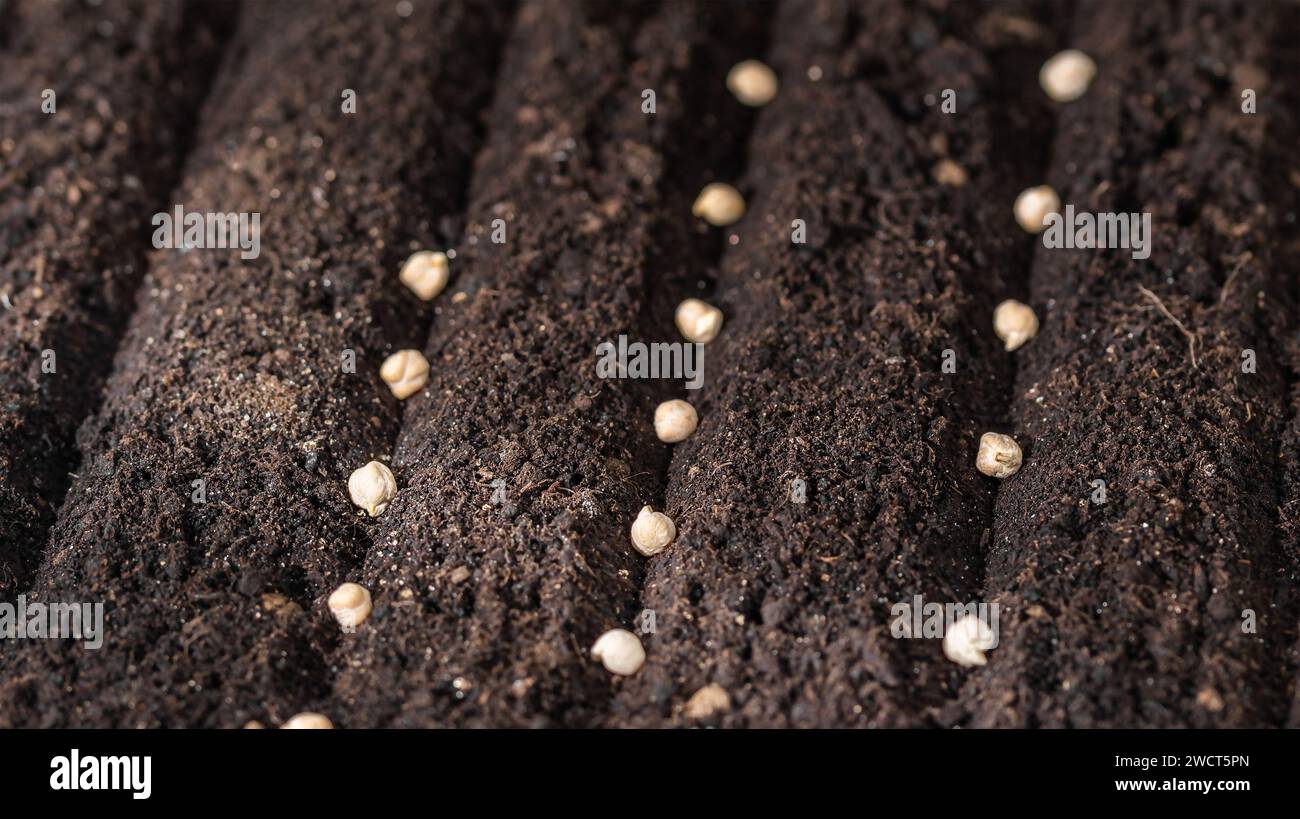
(506,552)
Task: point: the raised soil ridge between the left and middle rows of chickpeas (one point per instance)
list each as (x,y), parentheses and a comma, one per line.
(506,552)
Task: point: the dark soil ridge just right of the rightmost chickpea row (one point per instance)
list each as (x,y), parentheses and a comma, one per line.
(1133,556)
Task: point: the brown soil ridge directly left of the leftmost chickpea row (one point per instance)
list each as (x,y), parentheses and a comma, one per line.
(235,372)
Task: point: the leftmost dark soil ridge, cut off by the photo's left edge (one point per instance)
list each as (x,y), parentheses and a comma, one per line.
(97,110)
